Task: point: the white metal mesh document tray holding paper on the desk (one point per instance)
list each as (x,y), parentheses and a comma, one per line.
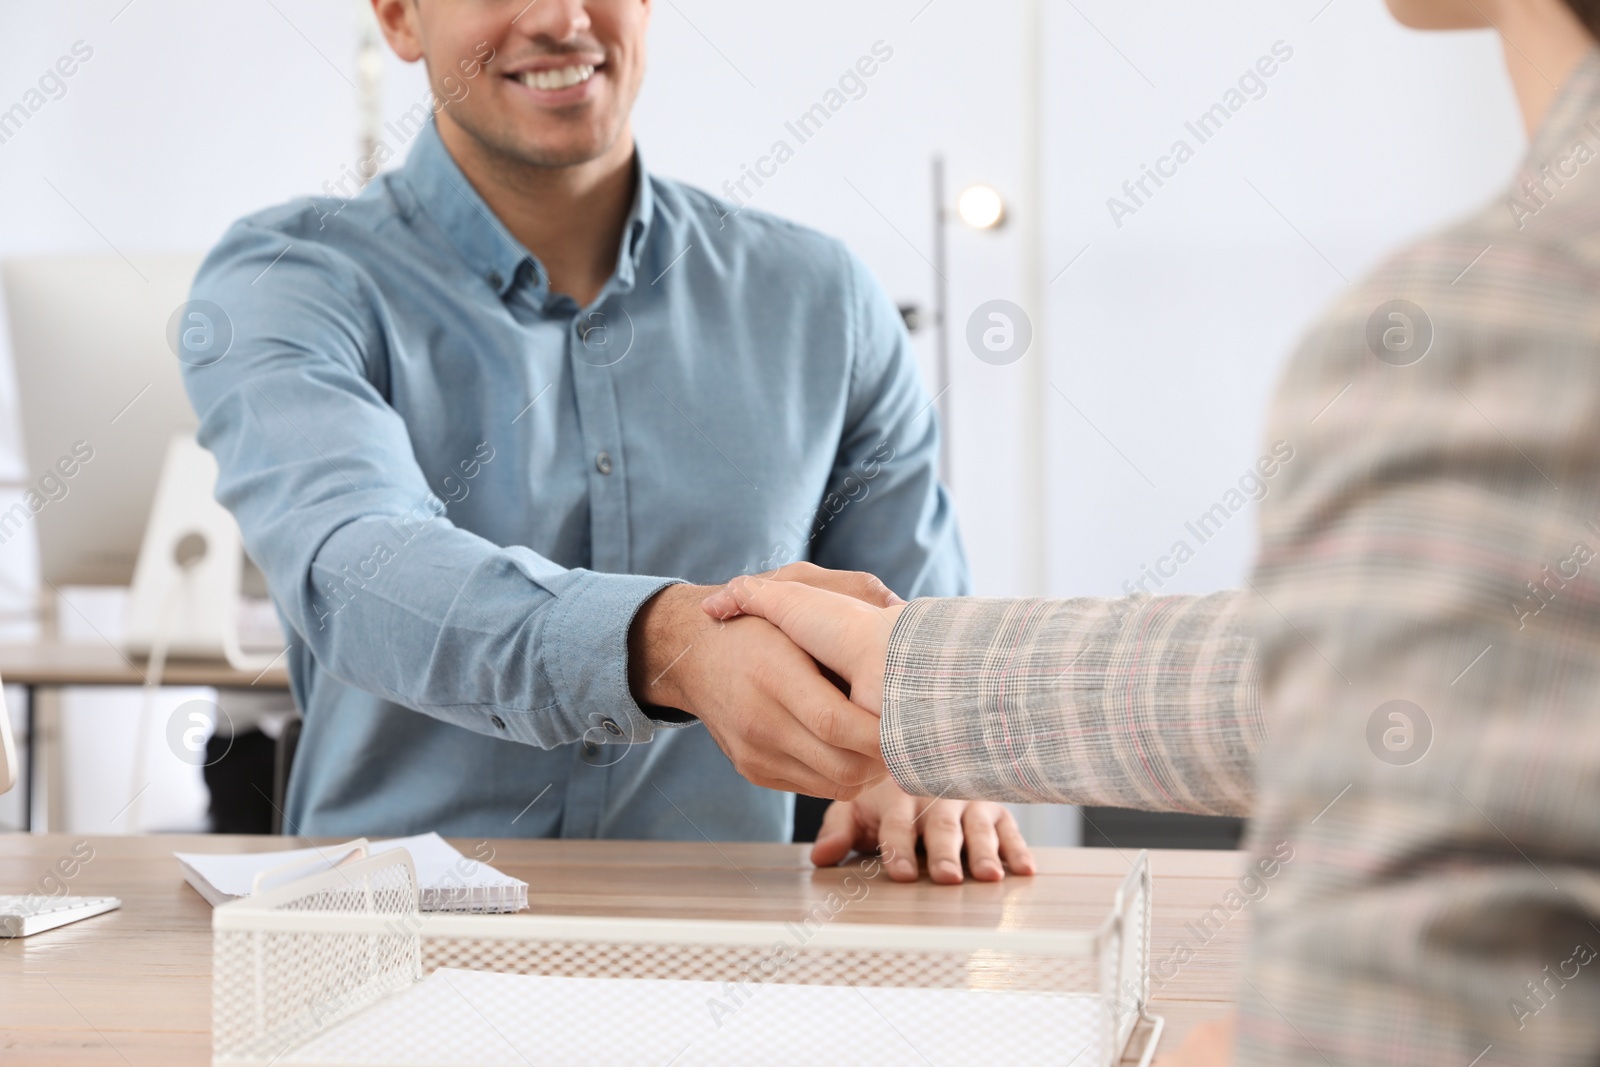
(343,970)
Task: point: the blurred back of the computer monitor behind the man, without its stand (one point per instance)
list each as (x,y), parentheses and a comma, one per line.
(95,378)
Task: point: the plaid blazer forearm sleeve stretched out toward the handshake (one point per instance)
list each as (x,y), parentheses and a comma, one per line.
(1146,703)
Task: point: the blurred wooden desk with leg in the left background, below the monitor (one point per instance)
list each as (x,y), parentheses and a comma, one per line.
(46,668)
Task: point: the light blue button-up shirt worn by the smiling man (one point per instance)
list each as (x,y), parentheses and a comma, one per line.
(463,487)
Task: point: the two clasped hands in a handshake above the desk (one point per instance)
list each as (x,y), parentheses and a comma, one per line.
(785,669)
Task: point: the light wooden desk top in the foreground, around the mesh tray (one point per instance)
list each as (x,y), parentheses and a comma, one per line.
(134,988)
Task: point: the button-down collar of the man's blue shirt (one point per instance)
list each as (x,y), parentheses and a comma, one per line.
(482,239)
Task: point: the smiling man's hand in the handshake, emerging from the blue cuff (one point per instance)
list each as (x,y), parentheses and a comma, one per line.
(764,701)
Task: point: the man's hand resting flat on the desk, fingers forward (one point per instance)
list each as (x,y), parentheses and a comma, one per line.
(889,820)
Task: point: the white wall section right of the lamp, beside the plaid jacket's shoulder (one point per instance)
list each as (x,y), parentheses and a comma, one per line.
(1170,330)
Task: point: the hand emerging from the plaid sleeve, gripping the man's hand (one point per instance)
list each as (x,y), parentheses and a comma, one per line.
(847,636)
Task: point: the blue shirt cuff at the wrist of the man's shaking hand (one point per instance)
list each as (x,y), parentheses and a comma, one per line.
(586,657)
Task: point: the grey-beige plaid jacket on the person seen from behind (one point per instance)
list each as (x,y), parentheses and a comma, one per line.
(1409,693)
